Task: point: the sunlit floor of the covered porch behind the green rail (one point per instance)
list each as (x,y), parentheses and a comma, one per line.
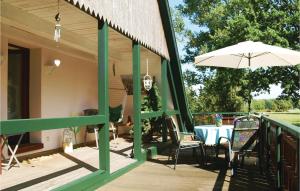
(47,172)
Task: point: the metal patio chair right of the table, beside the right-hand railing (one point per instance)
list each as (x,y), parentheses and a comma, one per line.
(244,141)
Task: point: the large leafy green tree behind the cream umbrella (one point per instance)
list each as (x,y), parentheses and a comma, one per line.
(223,23)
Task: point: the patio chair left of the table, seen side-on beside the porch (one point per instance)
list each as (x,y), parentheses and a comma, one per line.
(182,141)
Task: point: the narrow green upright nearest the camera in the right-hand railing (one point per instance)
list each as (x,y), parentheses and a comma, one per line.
(278,157)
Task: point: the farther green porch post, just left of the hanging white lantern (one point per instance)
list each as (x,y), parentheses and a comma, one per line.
(136,60)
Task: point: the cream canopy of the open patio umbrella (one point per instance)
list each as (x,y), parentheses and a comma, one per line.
(249,54)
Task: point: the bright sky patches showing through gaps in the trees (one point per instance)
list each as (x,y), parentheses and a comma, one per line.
(275,90)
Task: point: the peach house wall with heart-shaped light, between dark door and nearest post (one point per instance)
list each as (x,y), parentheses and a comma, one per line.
(66,91)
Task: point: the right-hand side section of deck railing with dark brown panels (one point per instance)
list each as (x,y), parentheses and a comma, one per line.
(280,152)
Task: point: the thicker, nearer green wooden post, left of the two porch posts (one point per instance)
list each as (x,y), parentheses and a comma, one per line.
(103,102)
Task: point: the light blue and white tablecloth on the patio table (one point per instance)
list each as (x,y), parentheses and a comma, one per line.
(210,134)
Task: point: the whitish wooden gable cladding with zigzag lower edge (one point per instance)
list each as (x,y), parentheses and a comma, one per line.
(137,19)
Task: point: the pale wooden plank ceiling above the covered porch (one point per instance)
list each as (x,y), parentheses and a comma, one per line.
(79,31)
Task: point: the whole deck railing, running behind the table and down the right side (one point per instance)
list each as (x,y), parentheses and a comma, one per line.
(279,146)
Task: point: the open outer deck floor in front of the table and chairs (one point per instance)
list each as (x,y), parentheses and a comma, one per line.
(188,176)
